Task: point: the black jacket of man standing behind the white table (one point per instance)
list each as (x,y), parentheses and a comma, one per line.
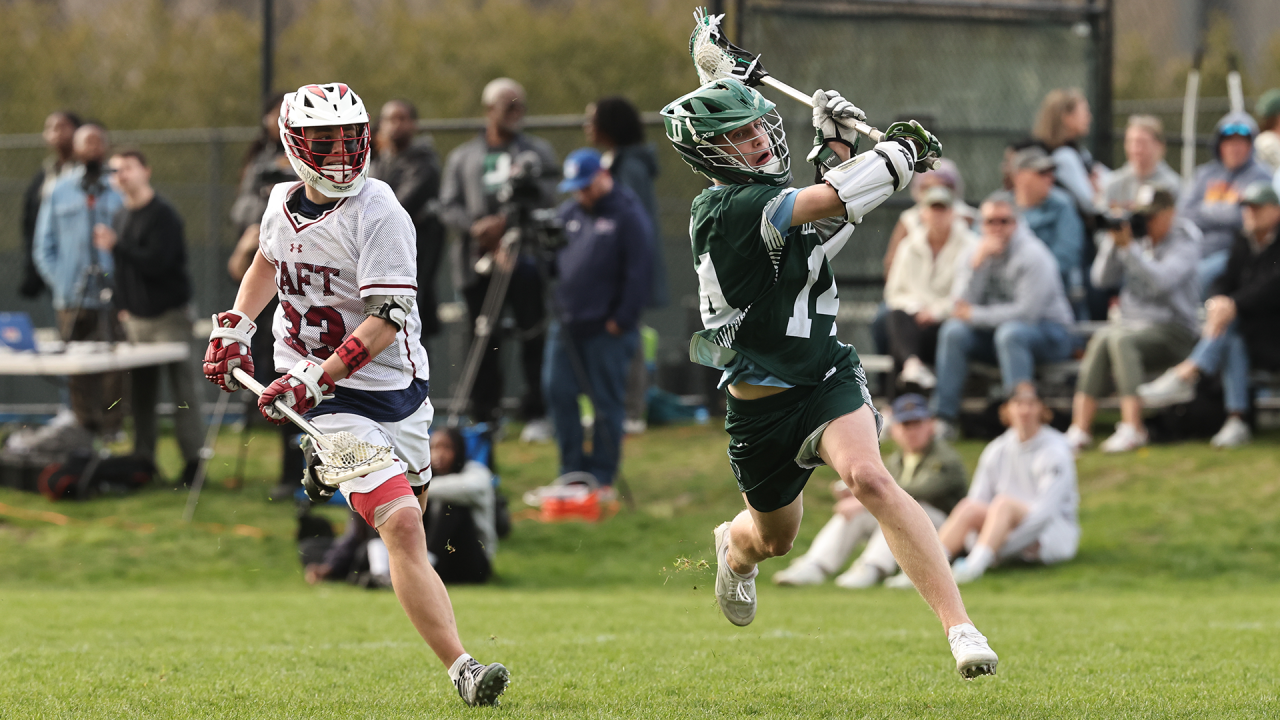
(150,261)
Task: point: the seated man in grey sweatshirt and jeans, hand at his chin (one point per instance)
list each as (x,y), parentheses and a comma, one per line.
(1011,309)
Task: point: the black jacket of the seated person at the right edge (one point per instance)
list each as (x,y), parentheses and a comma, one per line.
(1254,282)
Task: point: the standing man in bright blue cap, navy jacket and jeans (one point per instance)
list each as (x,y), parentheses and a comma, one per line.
(604,274)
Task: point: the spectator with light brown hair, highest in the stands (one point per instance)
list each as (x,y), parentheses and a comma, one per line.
(1062,125)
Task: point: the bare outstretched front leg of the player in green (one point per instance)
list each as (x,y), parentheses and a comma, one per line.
(851,446)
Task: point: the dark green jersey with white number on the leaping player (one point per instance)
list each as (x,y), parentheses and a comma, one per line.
(766,289)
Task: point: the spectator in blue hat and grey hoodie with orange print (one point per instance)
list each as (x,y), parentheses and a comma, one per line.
(1214,199)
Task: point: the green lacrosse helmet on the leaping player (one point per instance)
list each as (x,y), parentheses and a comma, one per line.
(723,106)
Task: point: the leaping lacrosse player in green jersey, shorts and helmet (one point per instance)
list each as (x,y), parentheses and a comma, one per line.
(797,397)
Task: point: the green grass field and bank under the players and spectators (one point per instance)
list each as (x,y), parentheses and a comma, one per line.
(116,609)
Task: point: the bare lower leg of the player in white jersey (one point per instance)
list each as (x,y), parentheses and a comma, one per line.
(418,587)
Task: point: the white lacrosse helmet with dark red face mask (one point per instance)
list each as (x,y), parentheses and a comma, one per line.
(337,167)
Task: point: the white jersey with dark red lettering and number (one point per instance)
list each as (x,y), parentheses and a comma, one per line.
(324,268)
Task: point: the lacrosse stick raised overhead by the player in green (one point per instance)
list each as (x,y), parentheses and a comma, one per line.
(716,58)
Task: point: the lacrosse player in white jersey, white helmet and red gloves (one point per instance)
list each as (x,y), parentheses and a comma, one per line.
(341,254)
